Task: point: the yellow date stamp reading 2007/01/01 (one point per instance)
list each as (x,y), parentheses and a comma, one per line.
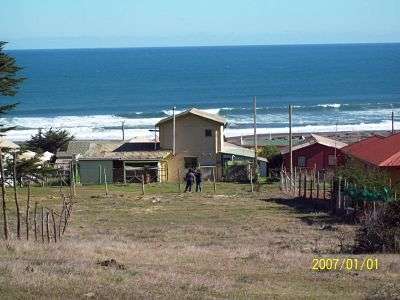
(344,264)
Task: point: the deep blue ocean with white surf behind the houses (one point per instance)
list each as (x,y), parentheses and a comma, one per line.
(91,91)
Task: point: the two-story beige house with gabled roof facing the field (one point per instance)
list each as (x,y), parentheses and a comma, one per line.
(199,141)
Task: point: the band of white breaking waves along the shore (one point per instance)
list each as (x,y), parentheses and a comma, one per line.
(370,116)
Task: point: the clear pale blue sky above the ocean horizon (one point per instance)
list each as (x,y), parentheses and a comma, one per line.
(31,24)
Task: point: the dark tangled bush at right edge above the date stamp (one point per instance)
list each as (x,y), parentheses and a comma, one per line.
(380,231)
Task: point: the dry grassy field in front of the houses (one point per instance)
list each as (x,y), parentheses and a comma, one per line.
(232,244)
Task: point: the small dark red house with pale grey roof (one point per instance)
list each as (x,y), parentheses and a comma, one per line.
(316,152)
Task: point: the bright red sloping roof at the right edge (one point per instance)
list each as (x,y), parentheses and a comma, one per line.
(377,150)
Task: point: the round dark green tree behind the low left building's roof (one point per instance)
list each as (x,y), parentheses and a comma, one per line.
(51,140)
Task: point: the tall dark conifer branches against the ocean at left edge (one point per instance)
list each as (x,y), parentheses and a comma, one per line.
(9,82)
